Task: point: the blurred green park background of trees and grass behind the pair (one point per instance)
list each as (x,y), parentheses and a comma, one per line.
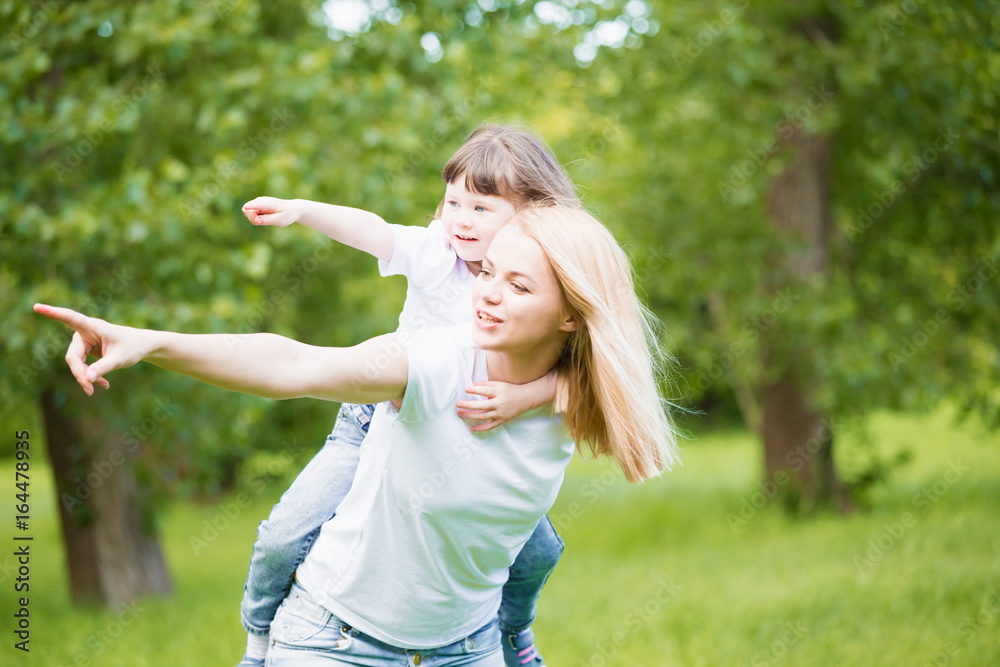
(809,195)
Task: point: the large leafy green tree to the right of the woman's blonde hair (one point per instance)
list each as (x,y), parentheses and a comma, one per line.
(803,167)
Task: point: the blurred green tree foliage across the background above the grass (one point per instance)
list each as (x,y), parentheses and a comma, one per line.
(135,132)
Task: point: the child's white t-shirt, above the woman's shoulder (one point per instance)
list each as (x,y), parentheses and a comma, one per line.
(438,282)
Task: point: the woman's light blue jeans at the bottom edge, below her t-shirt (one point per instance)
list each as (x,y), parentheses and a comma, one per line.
(305,634)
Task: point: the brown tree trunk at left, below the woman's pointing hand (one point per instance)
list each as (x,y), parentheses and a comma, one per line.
(112,550)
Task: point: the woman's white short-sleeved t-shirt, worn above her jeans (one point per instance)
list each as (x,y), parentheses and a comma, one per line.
(421,545)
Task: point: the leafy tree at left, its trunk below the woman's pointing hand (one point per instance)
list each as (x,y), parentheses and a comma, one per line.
(110,111)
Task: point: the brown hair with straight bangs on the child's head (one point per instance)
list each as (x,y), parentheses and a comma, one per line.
(510,161)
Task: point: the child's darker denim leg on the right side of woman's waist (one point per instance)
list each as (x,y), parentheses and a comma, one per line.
(528,574)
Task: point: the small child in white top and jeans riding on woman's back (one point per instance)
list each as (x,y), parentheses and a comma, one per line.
(497,170)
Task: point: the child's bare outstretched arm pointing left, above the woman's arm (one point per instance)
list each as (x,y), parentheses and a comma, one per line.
(351,226)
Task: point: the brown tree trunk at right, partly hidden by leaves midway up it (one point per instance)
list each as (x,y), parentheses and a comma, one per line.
(798,439)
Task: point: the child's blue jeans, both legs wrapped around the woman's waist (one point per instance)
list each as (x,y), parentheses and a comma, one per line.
(285,537)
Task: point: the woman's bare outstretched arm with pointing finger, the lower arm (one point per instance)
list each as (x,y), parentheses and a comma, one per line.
(260,364)
